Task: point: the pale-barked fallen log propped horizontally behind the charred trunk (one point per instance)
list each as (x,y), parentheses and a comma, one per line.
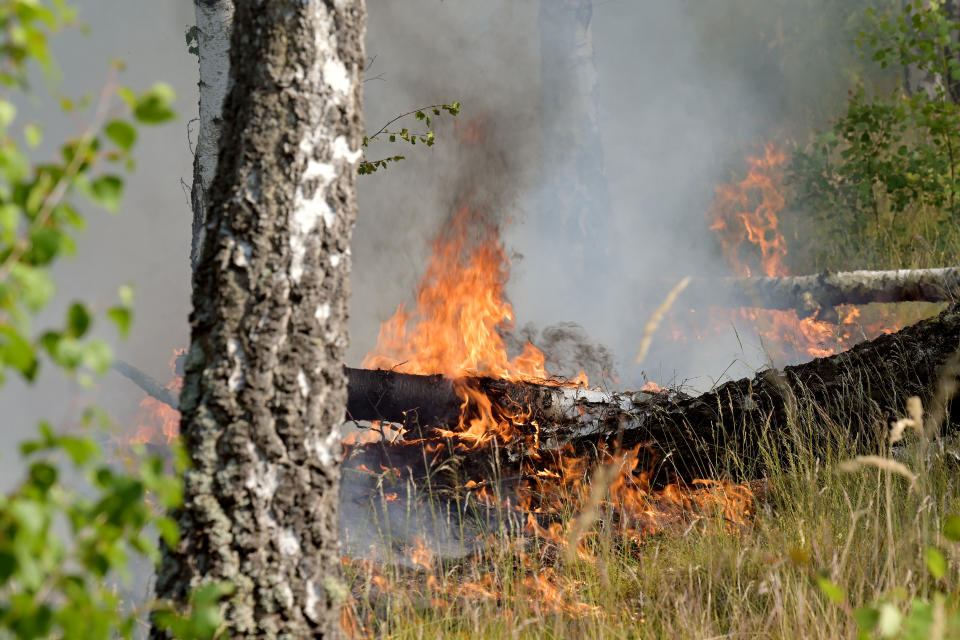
(826,290)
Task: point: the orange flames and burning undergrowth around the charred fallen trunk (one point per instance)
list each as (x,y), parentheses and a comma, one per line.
(431,504)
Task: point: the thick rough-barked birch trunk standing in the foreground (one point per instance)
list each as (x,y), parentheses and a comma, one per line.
(264,391)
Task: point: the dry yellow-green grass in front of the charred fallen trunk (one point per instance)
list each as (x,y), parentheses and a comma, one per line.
(865,530)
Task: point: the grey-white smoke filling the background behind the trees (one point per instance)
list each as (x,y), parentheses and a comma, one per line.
(682,91)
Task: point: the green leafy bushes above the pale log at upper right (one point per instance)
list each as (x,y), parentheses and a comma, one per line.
(889,167)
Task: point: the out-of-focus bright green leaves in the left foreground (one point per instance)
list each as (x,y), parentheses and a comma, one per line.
(68,531)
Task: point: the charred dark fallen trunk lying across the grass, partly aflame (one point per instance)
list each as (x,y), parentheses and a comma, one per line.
(846,398)
